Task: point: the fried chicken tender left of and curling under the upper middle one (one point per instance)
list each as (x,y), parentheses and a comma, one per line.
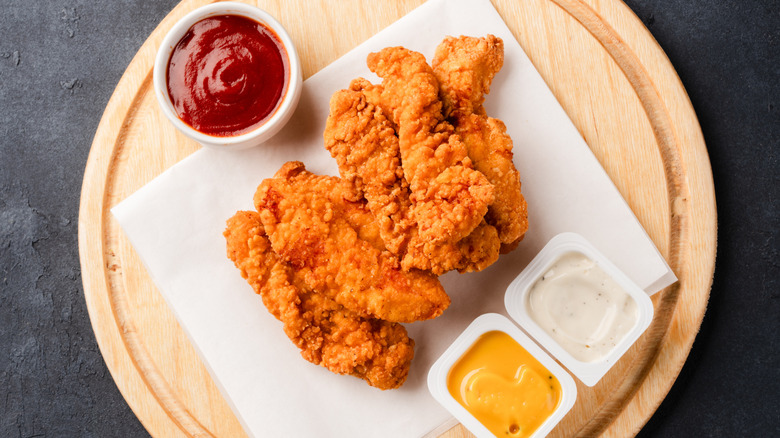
(364,144)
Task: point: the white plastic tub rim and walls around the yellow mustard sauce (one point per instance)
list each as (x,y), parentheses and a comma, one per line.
(437,375)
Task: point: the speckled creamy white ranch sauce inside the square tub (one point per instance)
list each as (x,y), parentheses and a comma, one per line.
(582,307)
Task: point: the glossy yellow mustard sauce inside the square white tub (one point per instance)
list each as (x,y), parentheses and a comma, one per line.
(503,386)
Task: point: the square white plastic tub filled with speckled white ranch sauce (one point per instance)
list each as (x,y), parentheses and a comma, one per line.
(580,307)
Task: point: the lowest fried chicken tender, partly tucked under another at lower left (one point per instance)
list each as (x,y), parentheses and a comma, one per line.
(327,334)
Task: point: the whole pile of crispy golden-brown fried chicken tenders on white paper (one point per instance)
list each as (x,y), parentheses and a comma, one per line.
(428,185)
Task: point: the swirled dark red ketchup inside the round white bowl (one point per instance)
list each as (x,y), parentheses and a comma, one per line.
(227,75)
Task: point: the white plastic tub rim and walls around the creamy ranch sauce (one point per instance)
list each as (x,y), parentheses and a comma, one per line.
(515,302)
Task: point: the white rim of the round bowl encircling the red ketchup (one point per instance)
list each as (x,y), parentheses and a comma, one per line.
(281,114)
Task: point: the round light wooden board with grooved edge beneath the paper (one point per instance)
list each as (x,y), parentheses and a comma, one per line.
(612,79)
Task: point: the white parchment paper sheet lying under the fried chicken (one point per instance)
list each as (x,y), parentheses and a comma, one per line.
(176,221)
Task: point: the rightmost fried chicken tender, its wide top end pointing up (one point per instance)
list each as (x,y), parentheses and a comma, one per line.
(465,67)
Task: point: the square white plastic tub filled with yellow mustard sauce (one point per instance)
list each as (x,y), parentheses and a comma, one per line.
(497,382)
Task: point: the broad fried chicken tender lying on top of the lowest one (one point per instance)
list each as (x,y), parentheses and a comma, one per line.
(335,246)
